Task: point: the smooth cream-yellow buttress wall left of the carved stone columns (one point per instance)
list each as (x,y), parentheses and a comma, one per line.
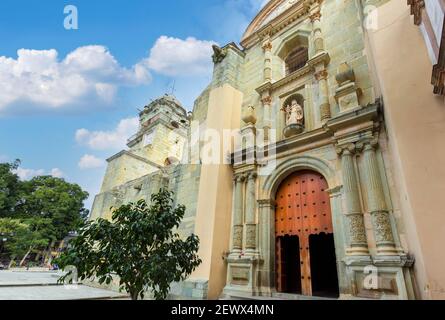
(213,216)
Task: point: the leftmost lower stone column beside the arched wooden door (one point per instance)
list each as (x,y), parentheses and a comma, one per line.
(237,237)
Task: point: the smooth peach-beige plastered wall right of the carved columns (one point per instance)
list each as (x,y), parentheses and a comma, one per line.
(415,120)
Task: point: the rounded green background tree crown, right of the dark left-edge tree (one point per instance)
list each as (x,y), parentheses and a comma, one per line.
(55,199)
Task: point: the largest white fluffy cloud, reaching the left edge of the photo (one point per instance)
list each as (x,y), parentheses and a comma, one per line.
(38,77)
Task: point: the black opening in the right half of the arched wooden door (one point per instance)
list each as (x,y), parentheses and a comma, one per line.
(323,266)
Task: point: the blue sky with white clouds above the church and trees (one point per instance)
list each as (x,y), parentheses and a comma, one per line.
(69,98)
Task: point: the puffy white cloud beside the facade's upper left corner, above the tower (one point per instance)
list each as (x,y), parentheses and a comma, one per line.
(177,57)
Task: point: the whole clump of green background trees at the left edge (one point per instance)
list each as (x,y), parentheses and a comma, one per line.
(40,211)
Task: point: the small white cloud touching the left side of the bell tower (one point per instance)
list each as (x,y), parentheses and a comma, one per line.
(109,140)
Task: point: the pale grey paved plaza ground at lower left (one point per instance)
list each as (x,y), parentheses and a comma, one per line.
(42,285)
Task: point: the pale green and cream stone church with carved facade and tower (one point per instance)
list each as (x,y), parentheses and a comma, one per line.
(308,163)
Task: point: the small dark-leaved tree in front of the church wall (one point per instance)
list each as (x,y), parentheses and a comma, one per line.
(139,245)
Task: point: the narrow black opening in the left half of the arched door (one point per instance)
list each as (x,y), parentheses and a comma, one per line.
(290,264)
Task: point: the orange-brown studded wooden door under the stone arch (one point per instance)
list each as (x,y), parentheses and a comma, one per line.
(303,212)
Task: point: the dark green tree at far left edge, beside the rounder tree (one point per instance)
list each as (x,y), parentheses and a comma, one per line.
(10,188)
